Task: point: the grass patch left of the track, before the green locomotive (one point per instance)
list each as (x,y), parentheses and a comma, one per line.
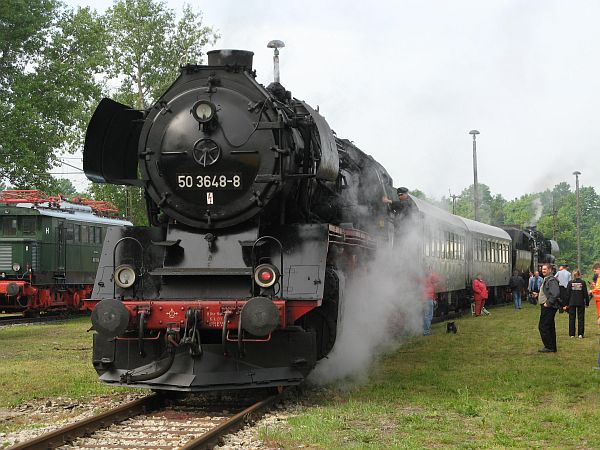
(44,362)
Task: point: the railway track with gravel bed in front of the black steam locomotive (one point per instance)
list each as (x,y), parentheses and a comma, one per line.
(153,422)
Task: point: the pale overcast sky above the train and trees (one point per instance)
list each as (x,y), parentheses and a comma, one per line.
(406,81)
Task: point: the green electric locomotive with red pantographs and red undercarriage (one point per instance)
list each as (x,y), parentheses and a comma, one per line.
(49,250)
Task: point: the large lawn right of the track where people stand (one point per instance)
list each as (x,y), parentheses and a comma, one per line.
(485,387)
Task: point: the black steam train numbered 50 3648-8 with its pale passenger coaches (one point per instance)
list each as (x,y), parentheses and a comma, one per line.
(259,215)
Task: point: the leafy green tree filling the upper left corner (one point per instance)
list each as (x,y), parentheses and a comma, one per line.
(48,65)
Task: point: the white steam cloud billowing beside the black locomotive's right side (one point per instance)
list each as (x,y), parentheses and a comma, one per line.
(380,307)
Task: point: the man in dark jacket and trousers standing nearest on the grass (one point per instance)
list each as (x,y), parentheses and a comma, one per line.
(549,304)
